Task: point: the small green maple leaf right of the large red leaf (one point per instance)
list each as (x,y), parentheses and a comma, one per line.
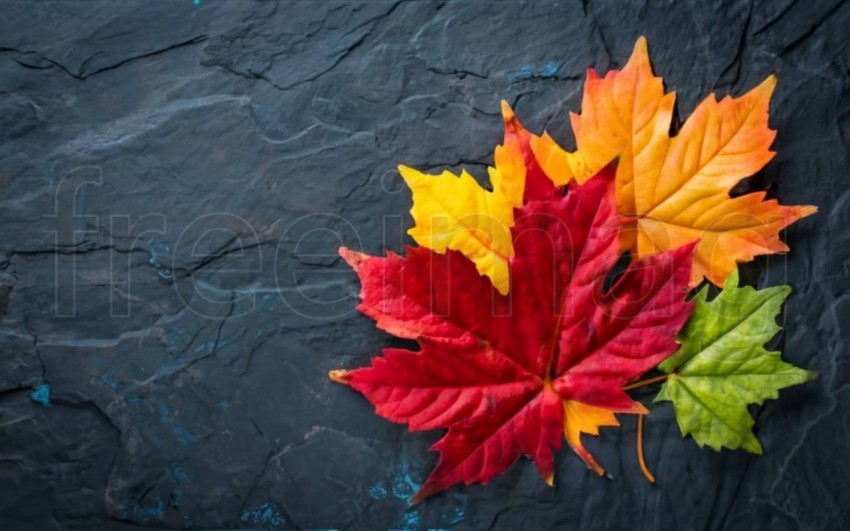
(722,365)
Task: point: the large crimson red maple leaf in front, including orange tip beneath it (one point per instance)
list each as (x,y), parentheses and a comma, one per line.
(509,375)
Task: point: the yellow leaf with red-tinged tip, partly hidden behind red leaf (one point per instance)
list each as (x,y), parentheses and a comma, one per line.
(453,212)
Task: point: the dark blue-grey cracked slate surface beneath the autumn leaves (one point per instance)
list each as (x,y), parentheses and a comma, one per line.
(175,180)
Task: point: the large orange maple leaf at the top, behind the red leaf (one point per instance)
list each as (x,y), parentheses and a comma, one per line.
(676,190)
